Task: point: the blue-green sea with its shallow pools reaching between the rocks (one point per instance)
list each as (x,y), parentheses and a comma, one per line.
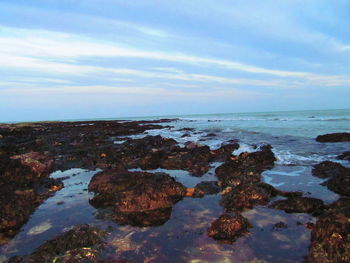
(183,238)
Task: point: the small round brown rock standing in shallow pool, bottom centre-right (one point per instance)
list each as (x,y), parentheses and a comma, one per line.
(228,227)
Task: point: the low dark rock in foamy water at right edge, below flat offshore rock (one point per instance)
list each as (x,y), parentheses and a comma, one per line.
(328,169)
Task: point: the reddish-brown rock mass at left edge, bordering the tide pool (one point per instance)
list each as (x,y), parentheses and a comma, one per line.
(24,185)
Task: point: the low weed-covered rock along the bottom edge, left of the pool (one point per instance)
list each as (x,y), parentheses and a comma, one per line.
(81,244)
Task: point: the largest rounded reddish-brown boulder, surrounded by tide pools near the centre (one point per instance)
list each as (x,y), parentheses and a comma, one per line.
(137,198)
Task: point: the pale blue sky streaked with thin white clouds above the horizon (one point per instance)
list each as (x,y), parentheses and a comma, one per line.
(65,59)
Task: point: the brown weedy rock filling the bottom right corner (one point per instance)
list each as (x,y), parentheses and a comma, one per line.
(330,237)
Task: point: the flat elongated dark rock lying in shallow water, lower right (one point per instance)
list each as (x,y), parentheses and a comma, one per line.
(299,205)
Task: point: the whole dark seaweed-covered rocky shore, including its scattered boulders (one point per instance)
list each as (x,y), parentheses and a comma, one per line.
(30,152)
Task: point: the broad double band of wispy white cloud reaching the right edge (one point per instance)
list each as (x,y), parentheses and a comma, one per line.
(59,53)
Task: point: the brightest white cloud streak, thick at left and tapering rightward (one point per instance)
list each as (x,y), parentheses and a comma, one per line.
(45,44)
